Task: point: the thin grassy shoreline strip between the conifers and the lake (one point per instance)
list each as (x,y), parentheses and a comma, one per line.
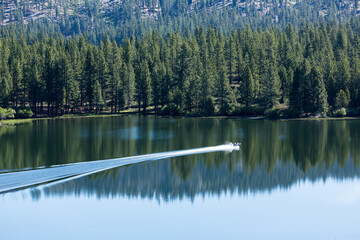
(11,122)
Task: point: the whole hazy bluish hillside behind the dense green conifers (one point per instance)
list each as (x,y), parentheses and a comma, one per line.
(121,19)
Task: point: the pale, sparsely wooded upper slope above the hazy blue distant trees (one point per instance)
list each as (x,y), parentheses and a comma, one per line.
(125,10)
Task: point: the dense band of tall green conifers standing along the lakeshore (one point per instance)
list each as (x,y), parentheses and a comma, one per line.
(309,70)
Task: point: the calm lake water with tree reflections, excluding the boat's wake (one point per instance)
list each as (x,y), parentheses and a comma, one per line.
(290,180)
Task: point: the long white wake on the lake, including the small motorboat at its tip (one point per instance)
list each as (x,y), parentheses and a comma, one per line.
(67,172)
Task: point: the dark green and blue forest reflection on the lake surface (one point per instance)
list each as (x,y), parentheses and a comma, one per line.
(273,153)
